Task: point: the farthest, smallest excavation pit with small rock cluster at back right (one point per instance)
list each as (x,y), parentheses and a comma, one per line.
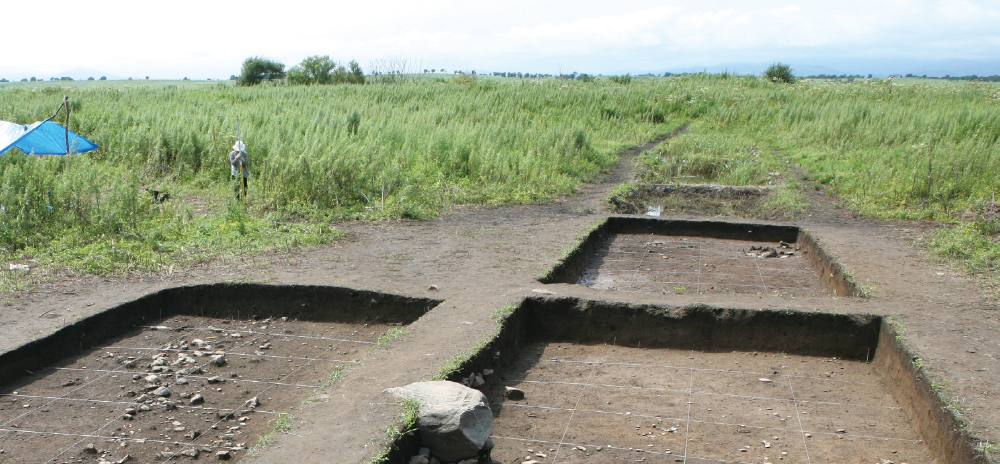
(662,256)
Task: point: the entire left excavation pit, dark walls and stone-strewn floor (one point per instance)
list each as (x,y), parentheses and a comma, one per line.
(73,388)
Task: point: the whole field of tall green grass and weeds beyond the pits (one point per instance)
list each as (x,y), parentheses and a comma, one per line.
(894,149)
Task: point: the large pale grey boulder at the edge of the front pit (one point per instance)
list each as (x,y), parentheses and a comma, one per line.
(454,421)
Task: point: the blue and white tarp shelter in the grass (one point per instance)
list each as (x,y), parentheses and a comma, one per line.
(42,138)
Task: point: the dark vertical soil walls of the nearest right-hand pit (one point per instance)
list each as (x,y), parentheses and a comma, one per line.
(871,338)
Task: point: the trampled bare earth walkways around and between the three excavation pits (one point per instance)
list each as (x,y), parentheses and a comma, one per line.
(480,258)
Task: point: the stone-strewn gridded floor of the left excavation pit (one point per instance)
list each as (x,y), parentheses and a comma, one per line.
(109,396)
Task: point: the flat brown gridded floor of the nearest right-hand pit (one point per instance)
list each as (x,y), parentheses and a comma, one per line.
(597,404)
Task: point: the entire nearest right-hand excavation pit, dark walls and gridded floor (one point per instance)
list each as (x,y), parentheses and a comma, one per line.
(610,382)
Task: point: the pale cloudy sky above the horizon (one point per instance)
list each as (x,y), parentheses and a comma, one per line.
(201,39)
